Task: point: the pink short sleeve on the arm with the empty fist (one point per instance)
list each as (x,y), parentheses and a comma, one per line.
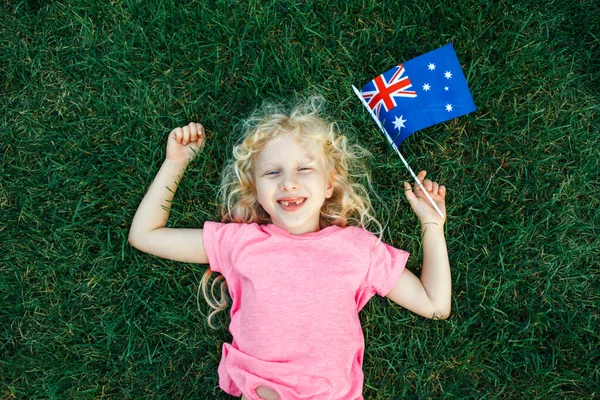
(219,241)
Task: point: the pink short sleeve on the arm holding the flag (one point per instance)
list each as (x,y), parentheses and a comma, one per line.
(385,267)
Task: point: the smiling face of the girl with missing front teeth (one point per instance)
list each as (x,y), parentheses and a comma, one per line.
(292,183)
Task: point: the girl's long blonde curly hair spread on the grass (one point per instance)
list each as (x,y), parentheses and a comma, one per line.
(349,204)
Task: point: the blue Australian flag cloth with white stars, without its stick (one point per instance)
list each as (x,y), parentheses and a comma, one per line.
(424,91)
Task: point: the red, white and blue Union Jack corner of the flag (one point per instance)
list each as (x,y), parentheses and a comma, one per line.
(385,90)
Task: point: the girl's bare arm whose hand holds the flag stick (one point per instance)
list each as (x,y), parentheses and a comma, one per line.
(430,295)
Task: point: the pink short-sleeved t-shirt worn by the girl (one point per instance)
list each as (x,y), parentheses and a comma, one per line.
(295,304)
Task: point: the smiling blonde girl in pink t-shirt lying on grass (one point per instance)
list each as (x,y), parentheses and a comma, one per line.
(293,249)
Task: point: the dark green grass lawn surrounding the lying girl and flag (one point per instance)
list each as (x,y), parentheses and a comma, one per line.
(88,93)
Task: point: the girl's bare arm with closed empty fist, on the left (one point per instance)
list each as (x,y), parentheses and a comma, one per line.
(148,232)
